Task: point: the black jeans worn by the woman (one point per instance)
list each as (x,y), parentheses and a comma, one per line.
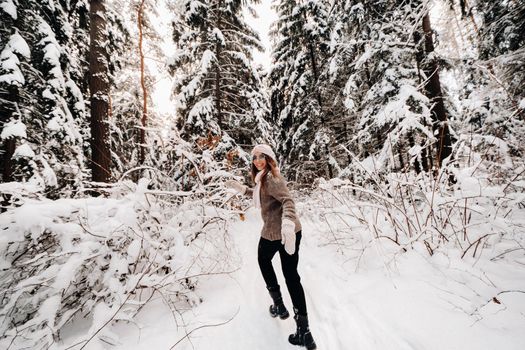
(266,252)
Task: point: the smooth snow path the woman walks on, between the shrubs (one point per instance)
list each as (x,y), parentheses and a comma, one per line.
(347,310)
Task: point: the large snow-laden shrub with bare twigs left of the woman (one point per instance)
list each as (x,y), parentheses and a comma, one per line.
(102,259)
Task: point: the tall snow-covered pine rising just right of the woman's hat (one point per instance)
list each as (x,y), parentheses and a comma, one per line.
(298,101)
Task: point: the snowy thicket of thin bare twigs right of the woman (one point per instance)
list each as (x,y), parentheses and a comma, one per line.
(475,204)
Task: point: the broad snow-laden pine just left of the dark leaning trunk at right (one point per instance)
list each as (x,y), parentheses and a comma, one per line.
(373,53)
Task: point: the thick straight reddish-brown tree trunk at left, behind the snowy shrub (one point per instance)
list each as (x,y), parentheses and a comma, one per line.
(99,91)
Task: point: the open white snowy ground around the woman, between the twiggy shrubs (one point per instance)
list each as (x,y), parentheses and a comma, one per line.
(414,302)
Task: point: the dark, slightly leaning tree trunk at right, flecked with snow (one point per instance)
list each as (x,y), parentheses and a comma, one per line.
(434,93)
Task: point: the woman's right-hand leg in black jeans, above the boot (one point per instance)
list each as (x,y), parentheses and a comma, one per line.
(293,280)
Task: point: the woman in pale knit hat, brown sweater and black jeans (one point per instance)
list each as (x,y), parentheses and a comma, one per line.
(281,233)
